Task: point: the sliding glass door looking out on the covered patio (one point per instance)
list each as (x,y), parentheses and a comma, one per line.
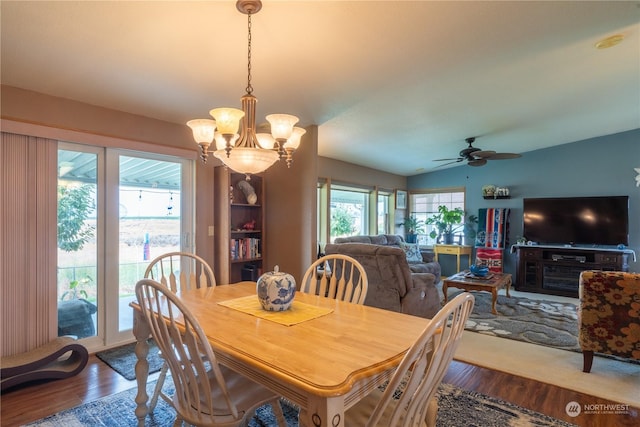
(122,208)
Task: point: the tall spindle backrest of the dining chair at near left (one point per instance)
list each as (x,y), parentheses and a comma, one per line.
(187,351)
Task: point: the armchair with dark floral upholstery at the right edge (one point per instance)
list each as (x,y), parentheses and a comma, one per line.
(609,315)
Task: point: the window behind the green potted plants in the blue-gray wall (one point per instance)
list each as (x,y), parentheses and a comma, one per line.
(424,204)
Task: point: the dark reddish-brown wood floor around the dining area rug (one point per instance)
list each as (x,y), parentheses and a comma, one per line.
(26,404)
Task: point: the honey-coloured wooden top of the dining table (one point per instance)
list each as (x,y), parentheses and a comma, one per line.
(324,355)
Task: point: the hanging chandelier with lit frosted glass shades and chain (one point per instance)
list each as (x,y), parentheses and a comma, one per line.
(247,152)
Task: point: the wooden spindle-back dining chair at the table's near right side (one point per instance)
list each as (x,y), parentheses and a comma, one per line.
(409,398)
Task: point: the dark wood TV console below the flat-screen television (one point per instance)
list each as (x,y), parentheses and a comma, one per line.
(555,270)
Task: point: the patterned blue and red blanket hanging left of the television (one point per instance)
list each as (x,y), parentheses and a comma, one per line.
(493,225)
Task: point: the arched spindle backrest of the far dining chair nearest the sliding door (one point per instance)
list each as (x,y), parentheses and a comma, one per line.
(181,270)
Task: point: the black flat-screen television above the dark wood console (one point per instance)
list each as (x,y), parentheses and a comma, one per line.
(599,221)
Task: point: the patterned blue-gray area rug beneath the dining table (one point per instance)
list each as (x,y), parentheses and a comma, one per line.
(457,408)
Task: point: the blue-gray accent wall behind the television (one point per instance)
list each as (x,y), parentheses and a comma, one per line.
(602,166)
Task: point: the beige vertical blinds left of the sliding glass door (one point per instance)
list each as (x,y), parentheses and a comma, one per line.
(28,170)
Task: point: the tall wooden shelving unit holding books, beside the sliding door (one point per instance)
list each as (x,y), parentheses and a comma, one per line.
(239,228)
